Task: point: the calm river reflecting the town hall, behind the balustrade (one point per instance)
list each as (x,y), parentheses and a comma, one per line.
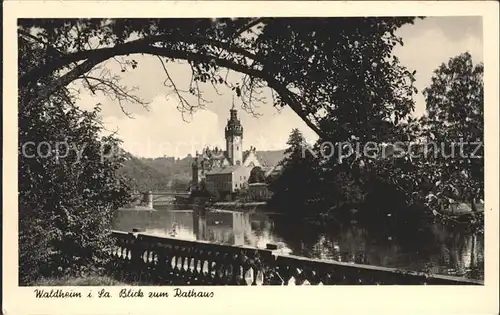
(435,248)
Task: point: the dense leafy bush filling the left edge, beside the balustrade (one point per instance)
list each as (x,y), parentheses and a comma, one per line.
(68,187)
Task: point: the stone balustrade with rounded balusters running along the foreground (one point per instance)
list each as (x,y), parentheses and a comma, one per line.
(155,260)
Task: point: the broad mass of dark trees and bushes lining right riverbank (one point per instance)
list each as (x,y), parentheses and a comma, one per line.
(416,167)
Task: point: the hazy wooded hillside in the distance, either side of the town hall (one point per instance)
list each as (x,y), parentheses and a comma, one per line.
(169,173)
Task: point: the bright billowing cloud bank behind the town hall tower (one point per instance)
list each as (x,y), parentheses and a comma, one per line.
(164,131)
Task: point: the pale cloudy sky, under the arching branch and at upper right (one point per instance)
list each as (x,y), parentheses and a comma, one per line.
(162,130)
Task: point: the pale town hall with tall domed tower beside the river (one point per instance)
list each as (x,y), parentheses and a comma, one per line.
(225,171)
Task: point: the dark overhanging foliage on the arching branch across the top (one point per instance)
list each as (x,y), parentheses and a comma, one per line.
(309,67)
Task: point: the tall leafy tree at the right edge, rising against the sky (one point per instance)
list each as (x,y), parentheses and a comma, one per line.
(455,106)
